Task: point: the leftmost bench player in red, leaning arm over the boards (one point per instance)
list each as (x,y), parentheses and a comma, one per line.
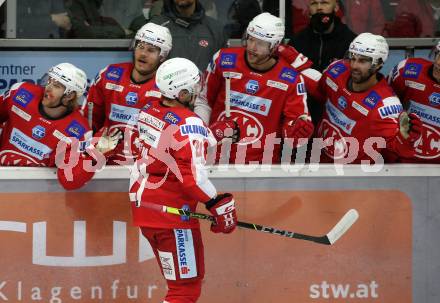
(37,119)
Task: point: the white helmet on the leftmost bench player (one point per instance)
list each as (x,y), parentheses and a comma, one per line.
(73,78)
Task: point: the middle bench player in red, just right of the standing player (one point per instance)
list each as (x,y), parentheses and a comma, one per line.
(268,99)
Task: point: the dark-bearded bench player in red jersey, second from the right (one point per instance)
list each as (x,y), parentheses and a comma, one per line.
(361,117)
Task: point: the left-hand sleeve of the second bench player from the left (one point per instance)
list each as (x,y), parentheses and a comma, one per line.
(94,107)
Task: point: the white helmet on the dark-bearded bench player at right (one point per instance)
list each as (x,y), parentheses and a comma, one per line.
(370,45)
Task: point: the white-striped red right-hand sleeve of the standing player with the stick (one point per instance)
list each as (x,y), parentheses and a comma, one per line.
(190,154)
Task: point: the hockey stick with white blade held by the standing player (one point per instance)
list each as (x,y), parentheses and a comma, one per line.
(330,238)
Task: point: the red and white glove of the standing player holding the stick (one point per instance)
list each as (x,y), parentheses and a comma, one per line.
(222,208)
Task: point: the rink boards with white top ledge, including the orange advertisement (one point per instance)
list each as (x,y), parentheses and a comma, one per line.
(80,246)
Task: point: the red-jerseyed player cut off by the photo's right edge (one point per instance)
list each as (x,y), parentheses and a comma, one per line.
(417,83)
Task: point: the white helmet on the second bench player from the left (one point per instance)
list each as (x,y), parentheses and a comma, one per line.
(156,35)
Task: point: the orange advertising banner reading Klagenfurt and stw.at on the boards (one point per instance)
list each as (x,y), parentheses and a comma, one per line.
(81,247)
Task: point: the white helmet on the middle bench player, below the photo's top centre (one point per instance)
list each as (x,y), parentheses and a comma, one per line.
(268,28)
